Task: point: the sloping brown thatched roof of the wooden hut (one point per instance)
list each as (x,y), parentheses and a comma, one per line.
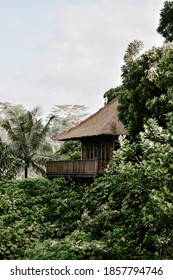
(103,122)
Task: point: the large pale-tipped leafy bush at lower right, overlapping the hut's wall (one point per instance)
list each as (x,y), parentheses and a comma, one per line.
(130,208)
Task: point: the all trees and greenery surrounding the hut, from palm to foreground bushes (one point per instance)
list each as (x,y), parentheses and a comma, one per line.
(125,214)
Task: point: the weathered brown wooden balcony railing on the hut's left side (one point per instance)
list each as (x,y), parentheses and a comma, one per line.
(75,168)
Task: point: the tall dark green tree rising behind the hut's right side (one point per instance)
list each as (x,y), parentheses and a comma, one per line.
(147,81)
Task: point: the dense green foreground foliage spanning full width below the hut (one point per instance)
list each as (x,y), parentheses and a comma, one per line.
(125,214)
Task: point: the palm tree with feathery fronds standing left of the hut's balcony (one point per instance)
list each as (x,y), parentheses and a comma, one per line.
(27,134)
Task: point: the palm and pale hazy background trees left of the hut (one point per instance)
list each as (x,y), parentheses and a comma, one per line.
(28,144)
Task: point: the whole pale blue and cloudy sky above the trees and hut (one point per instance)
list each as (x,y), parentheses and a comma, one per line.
(57,52)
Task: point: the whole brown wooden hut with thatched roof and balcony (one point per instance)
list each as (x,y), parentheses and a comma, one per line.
(98,135)
